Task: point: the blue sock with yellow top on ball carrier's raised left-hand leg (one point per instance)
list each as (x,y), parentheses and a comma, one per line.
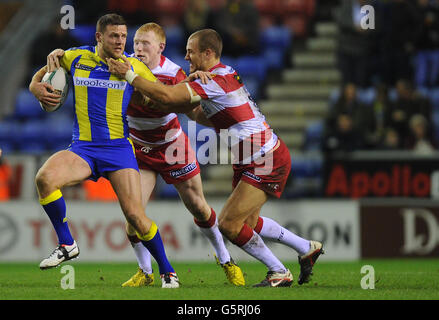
(55,207)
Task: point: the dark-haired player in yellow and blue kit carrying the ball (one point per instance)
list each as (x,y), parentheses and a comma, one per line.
(100,143)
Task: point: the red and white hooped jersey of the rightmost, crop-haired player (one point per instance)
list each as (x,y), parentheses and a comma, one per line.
(227,103)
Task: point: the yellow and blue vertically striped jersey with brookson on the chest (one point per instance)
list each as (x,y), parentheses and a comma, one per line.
(100,98)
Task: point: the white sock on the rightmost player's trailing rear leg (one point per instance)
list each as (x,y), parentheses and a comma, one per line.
(274,231)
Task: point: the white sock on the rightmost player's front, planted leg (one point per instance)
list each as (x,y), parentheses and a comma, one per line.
(257,249)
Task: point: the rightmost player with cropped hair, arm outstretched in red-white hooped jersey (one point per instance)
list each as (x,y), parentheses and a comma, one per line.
(227,104)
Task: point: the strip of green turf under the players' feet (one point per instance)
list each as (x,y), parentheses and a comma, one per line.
(395,279)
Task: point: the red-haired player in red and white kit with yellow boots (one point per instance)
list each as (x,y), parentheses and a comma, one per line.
(152,132)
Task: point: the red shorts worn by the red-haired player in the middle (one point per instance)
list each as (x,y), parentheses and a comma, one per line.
(174,161)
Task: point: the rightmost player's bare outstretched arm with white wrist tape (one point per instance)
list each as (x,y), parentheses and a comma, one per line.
(181,94)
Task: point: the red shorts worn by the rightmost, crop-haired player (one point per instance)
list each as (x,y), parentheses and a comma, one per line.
(269,176)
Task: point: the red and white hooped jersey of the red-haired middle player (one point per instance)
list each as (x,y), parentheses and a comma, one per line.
(151,126)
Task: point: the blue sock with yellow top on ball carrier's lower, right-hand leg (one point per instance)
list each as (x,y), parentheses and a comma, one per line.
(156,248)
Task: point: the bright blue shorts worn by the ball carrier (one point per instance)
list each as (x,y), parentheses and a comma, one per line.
(103,157)
